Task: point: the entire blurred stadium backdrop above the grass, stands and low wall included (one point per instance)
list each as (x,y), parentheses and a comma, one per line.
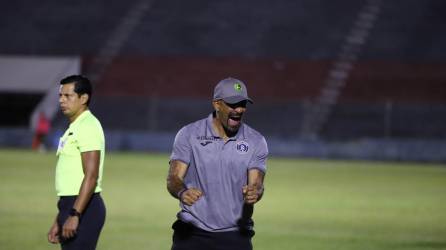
(333,79)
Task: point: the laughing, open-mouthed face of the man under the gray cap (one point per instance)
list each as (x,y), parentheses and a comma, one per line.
(230,115)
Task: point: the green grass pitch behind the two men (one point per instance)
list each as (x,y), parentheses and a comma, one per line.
(308,204)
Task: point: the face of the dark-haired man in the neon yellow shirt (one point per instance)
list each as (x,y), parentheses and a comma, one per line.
(71,104)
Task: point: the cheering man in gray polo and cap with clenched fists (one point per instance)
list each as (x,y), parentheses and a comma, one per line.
(216,171)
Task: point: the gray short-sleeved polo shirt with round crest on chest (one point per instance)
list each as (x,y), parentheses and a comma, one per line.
(219,170)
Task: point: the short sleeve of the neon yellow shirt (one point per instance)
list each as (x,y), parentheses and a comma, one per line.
(90,137)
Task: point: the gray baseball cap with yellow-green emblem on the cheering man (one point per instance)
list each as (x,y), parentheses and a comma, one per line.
(231,91)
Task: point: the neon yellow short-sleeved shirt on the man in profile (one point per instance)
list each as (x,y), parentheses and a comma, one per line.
(84,134)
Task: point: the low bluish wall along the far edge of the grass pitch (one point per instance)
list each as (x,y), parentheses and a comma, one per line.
(363,149)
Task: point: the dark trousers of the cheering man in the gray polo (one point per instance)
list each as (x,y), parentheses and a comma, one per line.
(189,237)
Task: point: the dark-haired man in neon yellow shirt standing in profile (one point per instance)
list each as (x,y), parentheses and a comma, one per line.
(79,170)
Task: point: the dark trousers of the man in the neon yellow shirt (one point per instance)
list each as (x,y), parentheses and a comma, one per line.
(90,224)
